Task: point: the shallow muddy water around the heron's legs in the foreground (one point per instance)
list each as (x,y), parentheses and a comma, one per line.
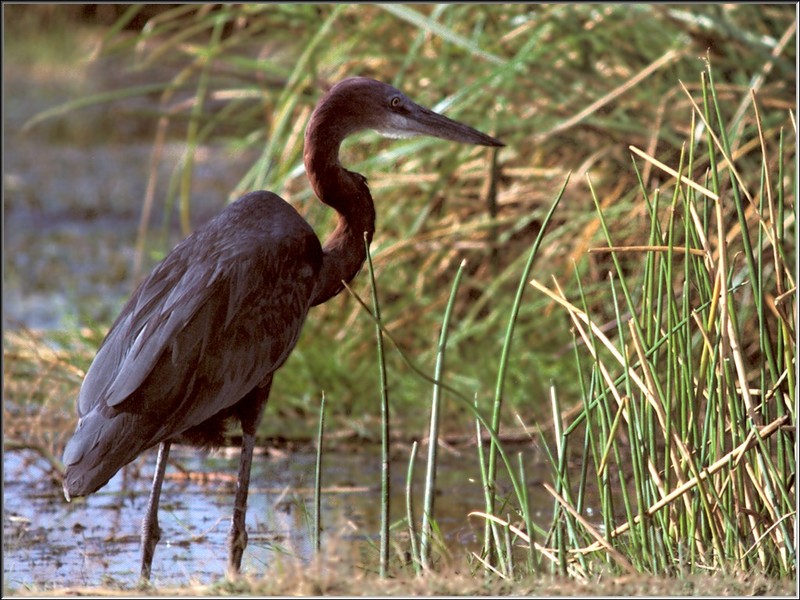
(95,541)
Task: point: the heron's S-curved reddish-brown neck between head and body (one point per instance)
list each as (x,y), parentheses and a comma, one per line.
(343,253)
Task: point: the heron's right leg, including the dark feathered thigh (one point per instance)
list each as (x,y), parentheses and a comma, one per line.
(251,409)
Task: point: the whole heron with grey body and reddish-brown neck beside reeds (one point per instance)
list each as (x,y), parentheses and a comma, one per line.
(197,344)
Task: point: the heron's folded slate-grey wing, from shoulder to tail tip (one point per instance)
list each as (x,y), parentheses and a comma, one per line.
(212,321)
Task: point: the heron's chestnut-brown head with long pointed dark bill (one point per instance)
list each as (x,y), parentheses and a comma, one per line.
(359,103)
